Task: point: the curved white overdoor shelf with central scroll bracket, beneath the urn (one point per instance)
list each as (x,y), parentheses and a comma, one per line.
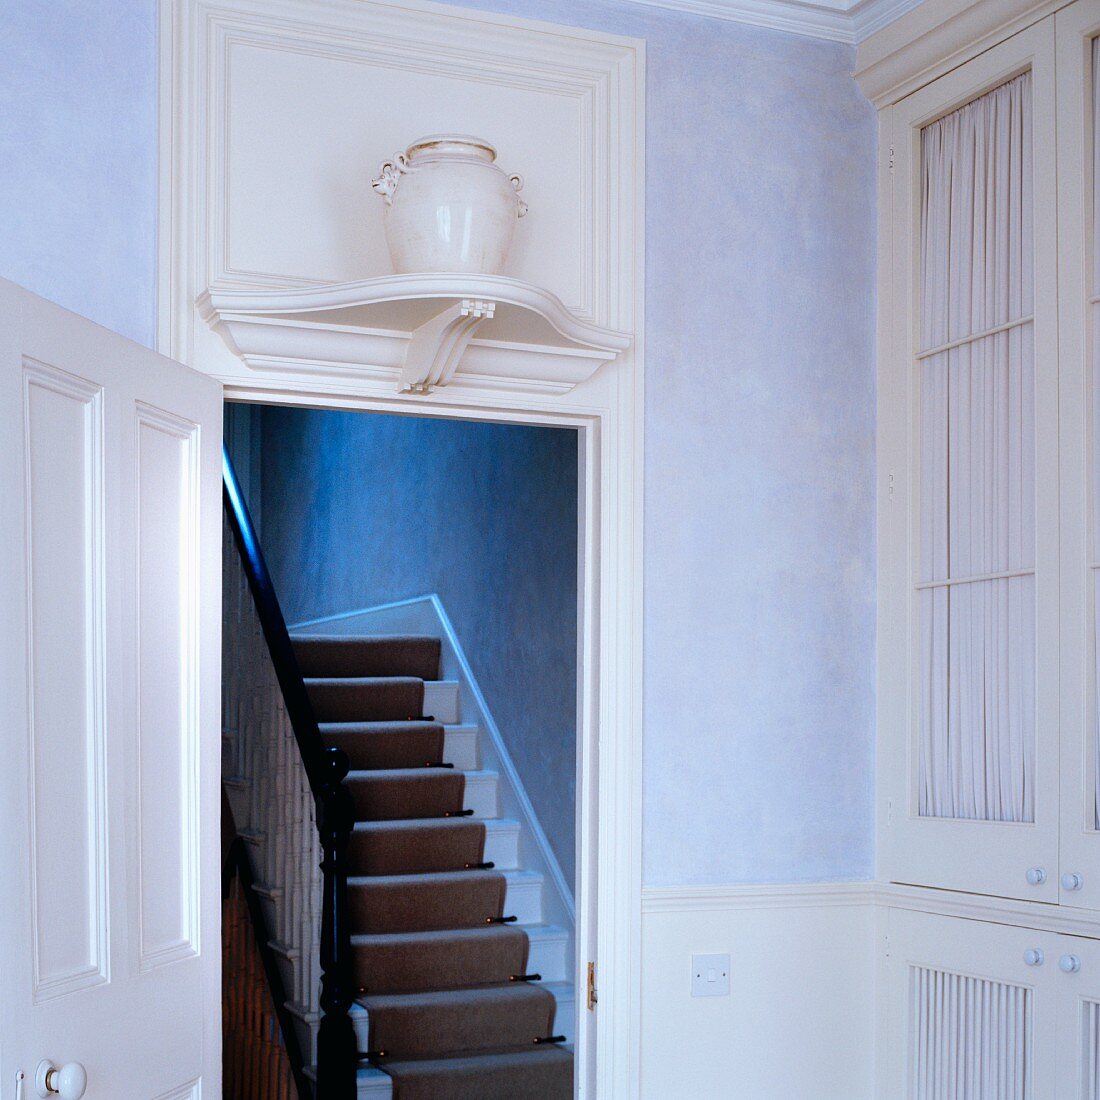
(421,332)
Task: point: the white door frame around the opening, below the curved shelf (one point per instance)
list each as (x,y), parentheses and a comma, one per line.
(610,734)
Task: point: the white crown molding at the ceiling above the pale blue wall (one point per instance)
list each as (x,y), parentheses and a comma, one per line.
(833,21)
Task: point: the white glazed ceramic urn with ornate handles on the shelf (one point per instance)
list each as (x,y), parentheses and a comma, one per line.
(449,208)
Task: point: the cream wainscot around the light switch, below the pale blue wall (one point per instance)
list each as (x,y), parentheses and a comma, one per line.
(800,1019)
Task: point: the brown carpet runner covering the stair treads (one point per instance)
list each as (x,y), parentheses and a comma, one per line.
(446,1020)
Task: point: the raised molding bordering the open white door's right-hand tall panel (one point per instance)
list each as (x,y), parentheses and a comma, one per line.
(153,952)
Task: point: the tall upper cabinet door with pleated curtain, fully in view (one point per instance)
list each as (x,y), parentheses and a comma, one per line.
(970,560)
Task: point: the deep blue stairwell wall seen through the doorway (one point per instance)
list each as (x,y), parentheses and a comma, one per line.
(362,510)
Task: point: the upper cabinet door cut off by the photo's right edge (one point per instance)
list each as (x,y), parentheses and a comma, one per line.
(1077,28)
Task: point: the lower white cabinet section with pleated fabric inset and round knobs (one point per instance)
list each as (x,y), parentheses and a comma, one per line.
(978,1010)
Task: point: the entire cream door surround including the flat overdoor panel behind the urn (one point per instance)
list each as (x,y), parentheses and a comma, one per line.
(234,167)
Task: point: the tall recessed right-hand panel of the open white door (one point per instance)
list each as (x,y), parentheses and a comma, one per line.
(168,703)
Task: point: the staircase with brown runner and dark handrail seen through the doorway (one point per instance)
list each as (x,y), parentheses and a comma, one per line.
(464,985)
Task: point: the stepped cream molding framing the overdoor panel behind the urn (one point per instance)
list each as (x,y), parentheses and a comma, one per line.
(201,41)
